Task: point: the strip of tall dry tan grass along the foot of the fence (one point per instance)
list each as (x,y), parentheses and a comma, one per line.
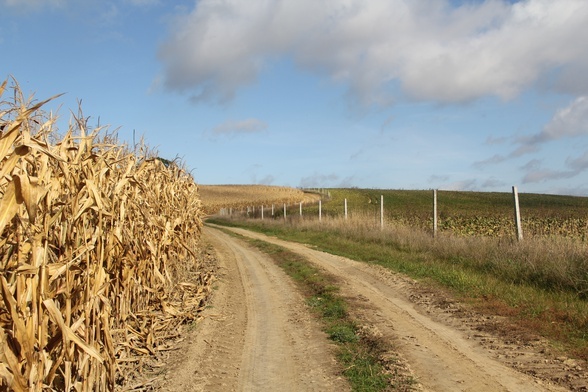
(554,263)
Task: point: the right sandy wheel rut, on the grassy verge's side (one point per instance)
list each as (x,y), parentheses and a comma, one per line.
(442,357)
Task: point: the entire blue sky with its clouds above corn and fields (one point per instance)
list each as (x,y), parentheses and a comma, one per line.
(404,94)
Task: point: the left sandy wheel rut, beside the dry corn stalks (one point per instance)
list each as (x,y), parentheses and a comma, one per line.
(258,334)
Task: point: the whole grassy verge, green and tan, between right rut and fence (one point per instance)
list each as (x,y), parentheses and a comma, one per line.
(539,286)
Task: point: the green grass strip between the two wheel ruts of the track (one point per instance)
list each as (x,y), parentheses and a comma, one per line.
(359,354)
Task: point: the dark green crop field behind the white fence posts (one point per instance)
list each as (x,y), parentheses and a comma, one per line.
(463,213)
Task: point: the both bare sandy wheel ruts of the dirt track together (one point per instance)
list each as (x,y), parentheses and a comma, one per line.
(259,337)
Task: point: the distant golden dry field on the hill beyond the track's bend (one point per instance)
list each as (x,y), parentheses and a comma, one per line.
(237,197)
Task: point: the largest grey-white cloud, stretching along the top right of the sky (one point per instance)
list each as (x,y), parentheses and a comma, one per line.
(429,49)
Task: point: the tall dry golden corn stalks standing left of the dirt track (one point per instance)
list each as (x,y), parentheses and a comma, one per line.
(93,241)
